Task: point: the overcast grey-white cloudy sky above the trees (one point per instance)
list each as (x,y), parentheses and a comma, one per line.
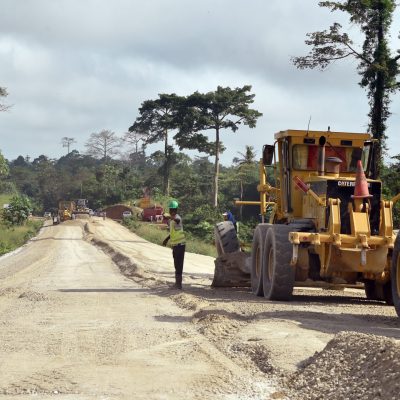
(73,67)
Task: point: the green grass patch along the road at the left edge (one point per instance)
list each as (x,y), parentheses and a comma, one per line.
(15,236)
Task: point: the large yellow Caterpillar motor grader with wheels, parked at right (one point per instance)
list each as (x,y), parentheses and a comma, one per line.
(324,222)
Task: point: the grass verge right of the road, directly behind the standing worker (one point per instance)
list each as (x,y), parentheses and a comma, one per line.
(157,233)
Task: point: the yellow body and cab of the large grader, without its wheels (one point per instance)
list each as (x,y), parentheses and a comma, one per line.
(314,181)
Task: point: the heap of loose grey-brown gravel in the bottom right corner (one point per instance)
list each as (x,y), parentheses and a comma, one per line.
(352,366)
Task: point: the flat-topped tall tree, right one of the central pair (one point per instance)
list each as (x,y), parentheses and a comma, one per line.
(222,109)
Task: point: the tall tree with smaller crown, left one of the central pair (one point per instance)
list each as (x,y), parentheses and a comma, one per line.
(156,119)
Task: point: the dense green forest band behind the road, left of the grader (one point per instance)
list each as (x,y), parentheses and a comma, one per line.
(110,181)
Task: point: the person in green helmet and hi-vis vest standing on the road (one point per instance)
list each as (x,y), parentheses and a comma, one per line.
(176,238)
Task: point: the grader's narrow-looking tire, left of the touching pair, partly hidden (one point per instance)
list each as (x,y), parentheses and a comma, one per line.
(257,258)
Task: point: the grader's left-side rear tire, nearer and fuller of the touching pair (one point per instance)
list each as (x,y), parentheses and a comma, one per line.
(278,274)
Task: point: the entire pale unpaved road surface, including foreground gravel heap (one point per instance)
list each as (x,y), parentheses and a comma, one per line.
(86,312)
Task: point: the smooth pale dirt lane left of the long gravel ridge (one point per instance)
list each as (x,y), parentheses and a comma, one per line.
(72,325)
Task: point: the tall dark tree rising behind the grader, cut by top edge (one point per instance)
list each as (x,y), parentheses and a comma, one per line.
(377,67)
